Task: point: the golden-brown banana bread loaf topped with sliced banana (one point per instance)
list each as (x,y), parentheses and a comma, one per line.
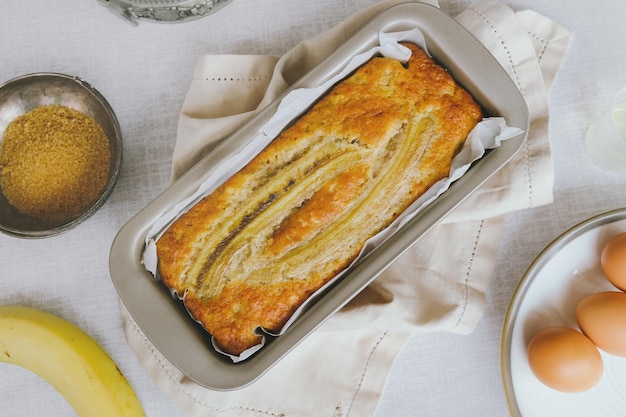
(250,253)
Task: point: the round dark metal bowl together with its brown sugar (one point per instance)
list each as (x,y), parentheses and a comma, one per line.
(60,153)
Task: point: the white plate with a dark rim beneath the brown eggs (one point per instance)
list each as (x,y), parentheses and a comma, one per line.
(563,274)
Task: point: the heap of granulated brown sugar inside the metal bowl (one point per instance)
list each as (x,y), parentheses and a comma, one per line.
(54,162)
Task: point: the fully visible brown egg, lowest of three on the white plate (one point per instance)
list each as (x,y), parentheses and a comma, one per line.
(565,359)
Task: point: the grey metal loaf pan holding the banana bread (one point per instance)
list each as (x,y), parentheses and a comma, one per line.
(164,320)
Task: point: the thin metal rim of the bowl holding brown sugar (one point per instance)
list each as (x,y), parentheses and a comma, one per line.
(116,167)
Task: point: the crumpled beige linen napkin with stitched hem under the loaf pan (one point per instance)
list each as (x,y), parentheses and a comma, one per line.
(341,369)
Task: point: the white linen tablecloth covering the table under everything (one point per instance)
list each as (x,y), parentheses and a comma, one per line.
(145,72)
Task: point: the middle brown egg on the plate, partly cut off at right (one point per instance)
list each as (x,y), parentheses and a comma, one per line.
(602,317)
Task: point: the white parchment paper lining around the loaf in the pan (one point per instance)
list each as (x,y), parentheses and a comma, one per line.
(488,134)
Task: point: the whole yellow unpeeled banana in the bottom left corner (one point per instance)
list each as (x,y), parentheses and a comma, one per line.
(69,359)
